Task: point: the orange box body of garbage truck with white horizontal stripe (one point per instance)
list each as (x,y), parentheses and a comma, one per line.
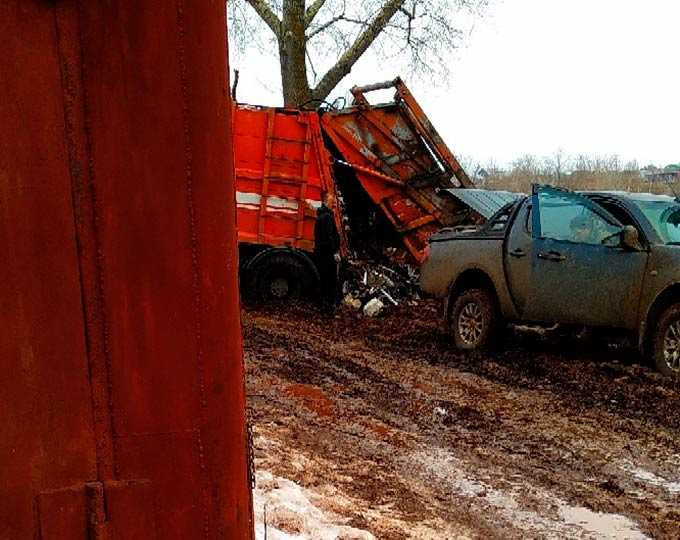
(282,168)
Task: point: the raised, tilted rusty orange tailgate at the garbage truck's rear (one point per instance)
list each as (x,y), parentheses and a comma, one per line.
(400,161)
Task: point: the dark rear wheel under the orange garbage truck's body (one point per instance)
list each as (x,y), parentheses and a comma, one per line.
(281,278)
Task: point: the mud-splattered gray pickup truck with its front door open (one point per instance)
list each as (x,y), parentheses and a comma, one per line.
(608,259)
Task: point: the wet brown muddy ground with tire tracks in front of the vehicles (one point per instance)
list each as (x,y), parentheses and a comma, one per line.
(394,432)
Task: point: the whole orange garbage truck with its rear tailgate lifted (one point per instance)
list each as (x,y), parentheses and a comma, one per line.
(391,170)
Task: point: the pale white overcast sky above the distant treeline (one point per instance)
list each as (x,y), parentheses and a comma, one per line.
(587,76)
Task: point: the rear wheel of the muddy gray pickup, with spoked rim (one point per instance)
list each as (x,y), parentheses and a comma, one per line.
(473,319)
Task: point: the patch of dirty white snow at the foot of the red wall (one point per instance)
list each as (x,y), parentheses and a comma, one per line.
(291,515)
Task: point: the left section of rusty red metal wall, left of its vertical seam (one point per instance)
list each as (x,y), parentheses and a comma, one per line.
(47,440)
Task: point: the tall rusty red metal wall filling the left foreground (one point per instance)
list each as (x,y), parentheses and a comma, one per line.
(121,376)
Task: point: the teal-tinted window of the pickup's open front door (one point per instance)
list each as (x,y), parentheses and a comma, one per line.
(567,217)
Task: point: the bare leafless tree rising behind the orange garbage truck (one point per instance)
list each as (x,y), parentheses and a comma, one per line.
(319,41)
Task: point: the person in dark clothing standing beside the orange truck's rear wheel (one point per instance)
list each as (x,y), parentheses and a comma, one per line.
(326,246)
